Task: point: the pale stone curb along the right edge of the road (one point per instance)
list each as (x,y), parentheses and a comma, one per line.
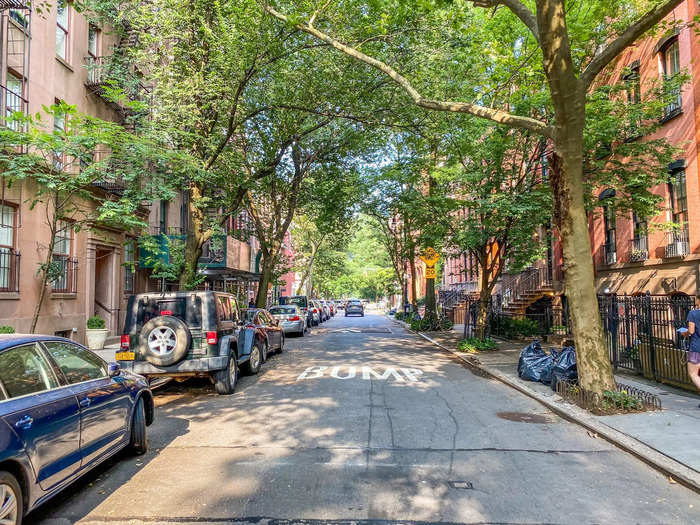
(679,472)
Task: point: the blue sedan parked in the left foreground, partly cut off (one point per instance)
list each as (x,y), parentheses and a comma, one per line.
(63,410)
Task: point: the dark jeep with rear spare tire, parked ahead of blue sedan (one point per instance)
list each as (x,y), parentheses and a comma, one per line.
(197,333)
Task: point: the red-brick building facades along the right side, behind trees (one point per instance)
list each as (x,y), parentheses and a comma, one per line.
(632,255)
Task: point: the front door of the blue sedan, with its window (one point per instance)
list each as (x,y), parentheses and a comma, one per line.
(104,401)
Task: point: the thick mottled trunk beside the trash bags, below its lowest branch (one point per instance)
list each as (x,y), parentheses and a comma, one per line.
(593,361)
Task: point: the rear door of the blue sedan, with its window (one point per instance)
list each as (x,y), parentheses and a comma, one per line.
(44,415)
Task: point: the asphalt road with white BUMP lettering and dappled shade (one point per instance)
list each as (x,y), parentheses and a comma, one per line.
(409,434)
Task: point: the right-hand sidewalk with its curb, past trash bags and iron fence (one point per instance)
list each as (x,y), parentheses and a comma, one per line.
(666,439)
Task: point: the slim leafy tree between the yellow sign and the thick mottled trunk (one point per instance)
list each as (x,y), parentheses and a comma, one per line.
(497,198)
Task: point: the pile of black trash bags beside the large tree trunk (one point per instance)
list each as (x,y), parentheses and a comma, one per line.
(537,365)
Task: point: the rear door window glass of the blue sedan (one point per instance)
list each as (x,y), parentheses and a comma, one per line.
(24,370)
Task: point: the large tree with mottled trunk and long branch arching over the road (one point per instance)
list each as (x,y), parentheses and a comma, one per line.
(572,46)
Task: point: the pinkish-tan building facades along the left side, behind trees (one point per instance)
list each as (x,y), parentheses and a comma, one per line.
(61,56)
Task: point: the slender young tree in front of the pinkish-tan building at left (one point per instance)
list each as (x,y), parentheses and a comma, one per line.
(66,164)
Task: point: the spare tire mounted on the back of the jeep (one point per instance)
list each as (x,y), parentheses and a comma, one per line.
(164,340)
